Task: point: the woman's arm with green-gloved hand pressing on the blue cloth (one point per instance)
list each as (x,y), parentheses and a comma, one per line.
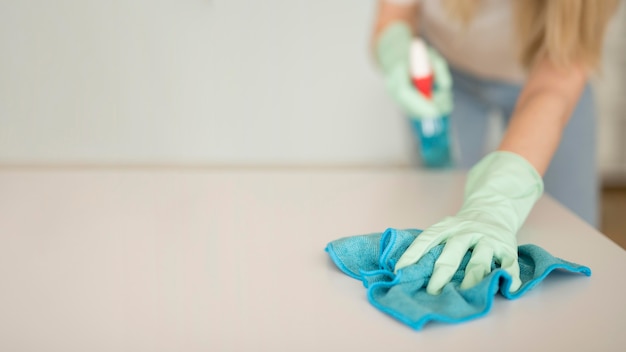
(503,187)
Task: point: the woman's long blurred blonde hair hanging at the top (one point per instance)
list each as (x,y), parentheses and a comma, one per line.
(566,31)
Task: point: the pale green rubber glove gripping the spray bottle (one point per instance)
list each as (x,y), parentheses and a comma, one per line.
(392,50)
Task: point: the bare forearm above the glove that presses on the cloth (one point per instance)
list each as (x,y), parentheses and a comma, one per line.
(543,109)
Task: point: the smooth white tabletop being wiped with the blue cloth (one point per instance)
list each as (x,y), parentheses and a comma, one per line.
(233,260)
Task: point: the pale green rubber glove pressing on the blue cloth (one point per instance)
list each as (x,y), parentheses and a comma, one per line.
(500,192)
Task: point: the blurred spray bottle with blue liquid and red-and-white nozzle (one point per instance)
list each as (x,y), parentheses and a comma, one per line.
(432,131)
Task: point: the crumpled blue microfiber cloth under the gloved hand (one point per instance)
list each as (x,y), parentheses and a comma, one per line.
(372,258)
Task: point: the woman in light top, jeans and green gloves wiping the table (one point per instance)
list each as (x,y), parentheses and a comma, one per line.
(528,59)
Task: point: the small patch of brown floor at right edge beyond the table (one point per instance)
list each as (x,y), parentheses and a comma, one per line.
(614,214)
